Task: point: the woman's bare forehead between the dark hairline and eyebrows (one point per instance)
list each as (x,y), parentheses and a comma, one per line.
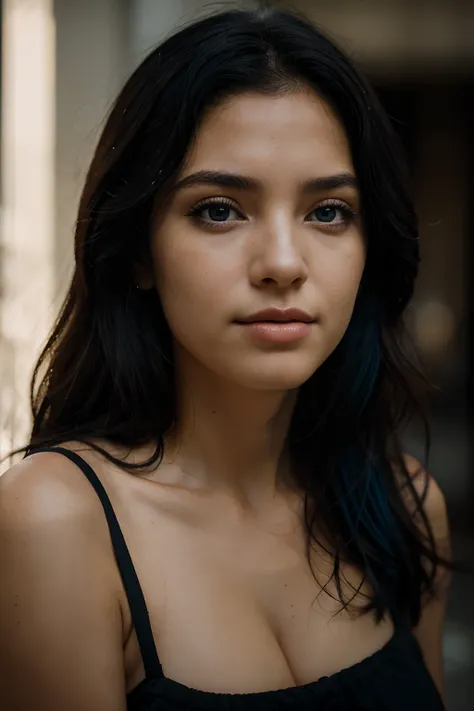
(253,132)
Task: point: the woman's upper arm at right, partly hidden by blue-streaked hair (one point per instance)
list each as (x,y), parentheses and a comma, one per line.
(429,630)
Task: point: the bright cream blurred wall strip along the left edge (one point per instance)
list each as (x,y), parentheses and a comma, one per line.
(27,209)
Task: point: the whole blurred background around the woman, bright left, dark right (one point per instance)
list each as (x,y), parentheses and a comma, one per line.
(62,64)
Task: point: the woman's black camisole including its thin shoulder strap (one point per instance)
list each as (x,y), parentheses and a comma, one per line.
(392,679)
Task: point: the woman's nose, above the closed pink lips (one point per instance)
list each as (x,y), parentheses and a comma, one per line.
(278,259)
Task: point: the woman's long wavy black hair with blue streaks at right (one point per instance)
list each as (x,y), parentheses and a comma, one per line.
(106,373)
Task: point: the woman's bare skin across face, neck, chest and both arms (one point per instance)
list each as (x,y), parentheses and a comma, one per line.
(218,517)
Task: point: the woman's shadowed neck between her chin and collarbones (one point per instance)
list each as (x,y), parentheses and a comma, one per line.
(231,438)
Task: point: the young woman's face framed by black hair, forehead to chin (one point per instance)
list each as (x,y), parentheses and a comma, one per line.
(265,215)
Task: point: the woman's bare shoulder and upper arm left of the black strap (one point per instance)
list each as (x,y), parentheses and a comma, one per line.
(60,623)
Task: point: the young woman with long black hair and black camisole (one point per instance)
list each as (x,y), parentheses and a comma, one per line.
(228,373)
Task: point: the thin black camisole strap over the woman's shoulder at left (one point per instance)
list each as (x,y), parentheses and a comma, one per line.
(133,590)
